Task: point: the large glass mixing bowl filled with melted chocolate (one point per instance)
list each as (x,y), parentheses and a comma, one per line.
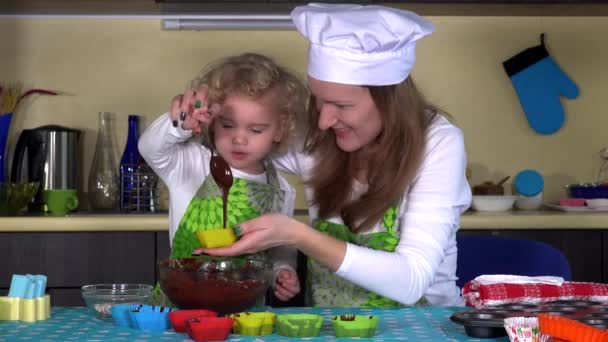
(221,284)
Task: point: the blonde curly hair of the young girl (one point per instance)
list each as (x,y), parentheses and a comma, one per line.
(260,78)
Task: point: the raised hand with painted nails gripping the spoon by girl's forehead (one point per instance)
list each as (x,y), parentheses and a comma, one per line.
(192,110)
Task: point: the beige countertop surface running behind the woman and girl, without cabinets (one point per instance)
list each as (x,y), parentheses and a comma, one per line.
(83,222)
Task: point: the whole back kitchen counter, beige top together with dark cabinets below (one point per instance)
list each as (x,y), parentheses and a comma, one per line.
(89,249)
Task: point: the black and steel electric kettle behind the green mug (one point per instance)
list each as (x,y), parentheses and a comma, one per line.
(53,159)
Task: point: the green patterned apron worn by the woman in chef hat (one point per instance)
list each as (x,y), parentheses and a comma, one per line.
(325,288)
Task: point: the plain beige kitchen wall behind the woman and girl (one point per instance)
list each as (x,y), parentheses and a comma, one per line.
(132,66)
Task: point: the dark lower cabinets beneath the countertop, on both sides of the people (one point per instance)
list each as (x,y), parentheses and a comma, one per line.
(71,260)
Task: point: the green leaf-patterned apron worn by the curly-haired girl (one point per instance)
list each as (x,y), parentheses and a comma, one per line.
(247,199)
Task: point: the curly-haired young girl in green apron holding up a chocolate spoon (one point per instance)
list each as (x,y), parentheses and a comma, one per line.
(257,104)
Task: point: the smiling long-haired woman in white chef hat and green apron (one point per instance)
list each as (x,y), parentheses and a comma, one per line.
(384,171)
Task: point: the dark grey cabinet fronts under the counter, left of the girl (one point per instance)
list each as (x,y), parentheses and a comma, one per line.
(71,260)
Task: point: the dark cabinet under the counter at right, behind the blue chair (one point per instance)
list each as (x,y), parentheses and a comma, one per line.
(585,249)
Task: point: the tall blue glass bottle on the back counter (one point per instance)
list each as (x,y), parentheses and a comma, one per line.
(129,164)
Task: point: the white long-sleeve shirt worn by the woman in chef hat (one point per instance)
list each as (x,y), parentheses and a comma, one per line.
(424,261)
